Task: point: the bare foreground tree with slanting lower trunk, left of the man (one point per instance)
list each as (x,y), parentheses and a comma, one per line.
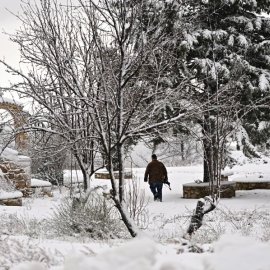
(126,103)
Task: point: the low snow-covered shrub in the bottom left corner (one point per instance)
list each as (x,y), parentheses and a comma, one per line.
(14,251)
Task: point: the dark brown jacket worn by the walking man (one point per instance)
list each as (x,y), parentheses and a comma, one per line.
(156,171)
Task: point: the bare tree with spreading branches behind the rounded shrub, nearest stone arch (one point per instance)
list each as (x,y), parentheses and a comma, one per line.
(56,77)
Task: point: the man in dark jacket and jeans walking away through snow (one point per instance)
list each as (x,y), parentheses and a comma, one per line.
(157,173)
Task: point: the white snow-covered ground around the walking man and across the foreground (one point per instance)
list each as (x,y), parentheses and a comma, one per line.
(236,235)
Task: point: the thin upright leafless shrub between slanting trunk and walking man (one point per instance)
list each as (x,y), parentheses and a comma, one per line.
(136,203)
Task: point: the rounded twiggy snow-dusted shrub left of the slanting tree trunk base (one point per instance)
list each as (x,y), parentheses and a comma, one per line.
(95,218)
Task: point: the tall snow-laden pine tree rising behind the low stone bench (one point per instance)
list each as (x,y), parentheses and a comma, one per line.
(225,50)
